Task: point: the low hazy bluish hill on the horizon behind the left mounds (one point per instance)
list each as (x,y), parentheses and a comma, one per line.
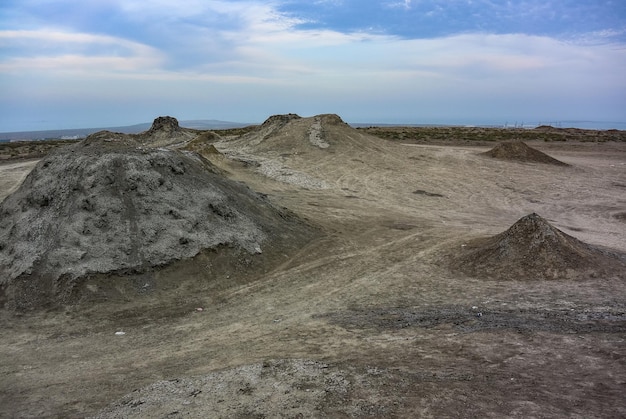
(76,133)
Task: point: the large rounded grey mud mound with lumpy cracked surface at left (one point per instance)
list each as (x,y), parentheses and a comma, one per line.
(108,206)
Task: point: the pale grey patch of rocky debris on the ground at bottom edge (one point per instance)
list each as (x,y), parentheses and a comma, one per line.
(296,388)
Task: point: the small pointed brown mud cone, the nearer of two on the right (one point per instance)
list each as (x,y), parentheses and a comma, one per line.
(534,249)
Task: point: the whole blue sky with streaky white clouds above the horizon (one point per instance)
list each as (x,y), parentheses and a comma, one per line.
(101,63)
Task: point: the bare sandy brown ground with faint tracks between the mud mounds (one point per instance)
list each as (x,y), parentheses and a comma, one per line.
(367,321)
